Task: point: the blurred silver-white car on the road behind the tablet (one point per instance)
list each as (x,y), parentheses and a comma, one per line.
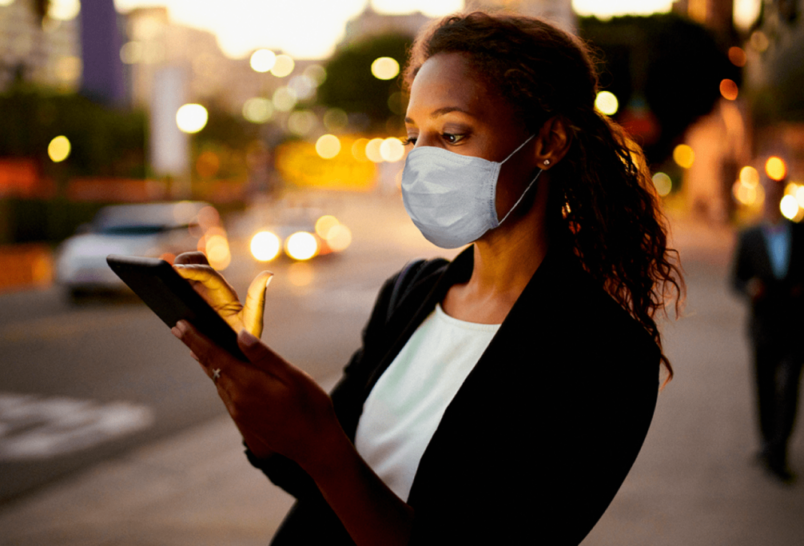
(158,230)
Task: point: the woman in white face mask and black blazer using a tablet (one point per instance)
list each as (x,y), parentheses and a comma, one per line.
(500,399)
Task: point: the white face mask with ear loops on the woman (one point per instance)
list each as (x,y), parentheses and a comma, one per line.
(451,197)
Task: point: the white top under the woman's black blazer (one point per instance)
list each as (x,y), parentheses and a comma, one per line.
(405,407)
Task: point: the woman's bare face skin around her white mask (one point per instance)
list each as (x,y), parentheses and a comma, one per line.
(452,108)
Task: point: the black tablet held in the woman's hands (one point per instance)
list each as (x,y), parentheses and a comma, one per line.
(172,298)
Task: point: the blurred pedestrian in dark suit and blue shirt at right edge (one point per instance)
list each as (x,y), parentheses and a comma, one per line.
(769,271)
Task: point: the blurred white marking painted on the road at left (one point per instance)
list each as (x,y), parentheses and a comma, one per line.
(34,427)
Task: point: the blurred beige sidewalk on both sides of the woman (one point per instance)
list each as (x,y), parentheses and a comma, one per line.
(694,483)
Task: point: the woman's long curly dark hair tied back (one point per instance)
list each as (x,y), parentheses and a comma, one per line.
(602,201)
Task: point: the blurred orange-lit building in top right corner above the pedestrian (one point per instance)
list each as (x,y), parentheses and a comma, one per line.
(764,117)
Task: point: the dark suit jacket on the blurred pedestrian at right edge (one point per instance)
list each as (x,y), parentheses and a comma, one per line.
(777,316)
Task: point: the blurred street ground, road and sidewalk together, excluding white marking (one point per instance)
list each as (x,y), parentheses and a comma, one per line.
(183,479)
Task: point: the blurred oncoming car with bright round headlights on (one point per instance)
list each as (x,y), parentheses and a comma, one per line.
(300,234)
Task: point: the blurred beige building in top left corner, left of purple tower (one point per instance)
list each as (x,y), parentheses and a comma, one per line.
(42,50)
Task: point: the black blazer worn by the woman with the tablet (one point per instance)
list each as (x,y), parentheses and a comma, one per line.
(540,436)
